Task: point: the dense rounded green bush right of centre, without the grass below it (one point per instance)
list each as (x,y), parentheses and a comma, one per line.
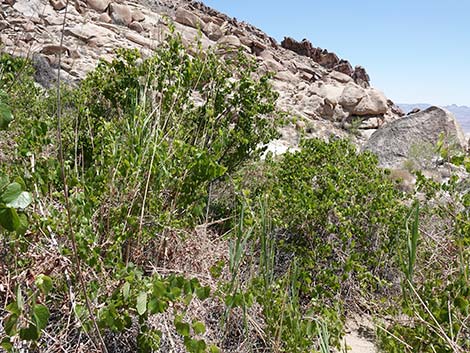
(342,215)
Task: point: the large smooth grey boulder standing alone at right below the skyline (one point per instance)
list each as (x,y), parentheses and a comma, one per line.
(395,142)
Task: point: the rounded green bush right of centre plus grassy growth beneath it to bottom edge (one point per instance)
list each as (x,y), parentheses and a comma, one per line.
(338,218)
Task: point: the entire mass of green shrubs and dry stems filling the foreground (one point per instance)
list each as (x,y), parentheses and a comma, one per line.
(136,214)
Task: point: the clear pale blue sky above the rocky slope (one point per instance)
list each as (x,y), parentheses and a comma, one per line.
(416,51)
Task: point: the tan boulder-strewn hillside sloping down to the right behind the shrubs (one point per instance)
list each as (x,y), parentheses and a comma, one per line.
(324,92)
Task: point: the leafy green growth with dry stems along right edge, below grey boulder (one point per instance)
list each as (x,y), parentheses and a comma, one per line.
(436,287)
